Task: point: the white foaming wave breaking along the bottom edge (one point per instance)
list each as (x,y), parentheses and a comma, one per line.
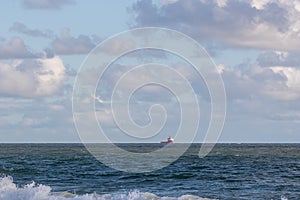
(10,191)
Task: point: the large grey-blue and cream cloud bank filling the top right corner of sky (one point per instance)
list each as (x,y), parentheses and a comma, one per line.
(264,24)
